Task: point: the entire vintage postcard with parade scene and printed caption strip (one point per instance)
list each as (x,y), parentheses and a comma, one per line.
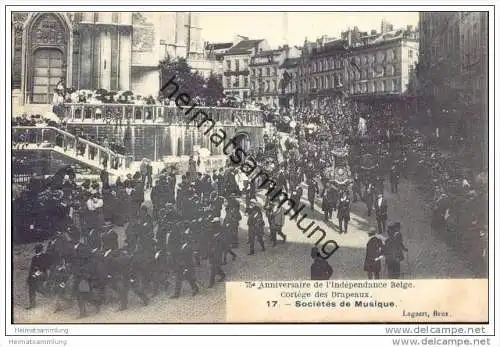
(249,167)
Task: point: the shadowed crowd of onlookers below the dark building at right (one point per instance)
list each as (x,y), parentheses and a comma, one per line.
(458,195)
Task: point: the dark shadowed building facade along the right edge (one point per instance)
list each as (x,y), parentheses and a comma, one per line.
(453,74)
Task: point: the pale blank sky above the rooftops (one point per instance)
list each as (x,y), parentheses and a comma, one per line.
(223,26)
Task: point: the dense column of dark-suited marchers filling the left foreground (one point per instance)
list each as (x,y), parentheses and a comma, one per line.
(192,221)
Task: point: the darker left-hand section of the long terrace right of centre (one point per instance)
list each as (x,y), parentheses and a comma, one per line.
(321,70)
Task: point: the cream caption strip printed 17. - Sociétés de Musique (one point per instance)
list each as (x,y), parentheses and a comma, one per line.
(370,301)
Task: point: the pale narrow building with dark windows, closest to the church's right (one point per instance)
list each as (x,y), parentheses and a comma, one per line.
(236,73)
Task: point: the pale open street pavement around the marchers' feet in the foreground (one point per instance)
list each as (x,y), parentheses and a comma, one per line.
(429,256)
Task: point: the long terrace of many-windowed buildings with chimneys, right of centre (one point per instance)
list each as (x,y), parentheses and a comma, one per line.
(361,65)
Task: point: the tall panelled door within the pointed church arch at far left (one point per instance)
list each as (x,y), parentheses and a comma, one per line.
(47,72)
